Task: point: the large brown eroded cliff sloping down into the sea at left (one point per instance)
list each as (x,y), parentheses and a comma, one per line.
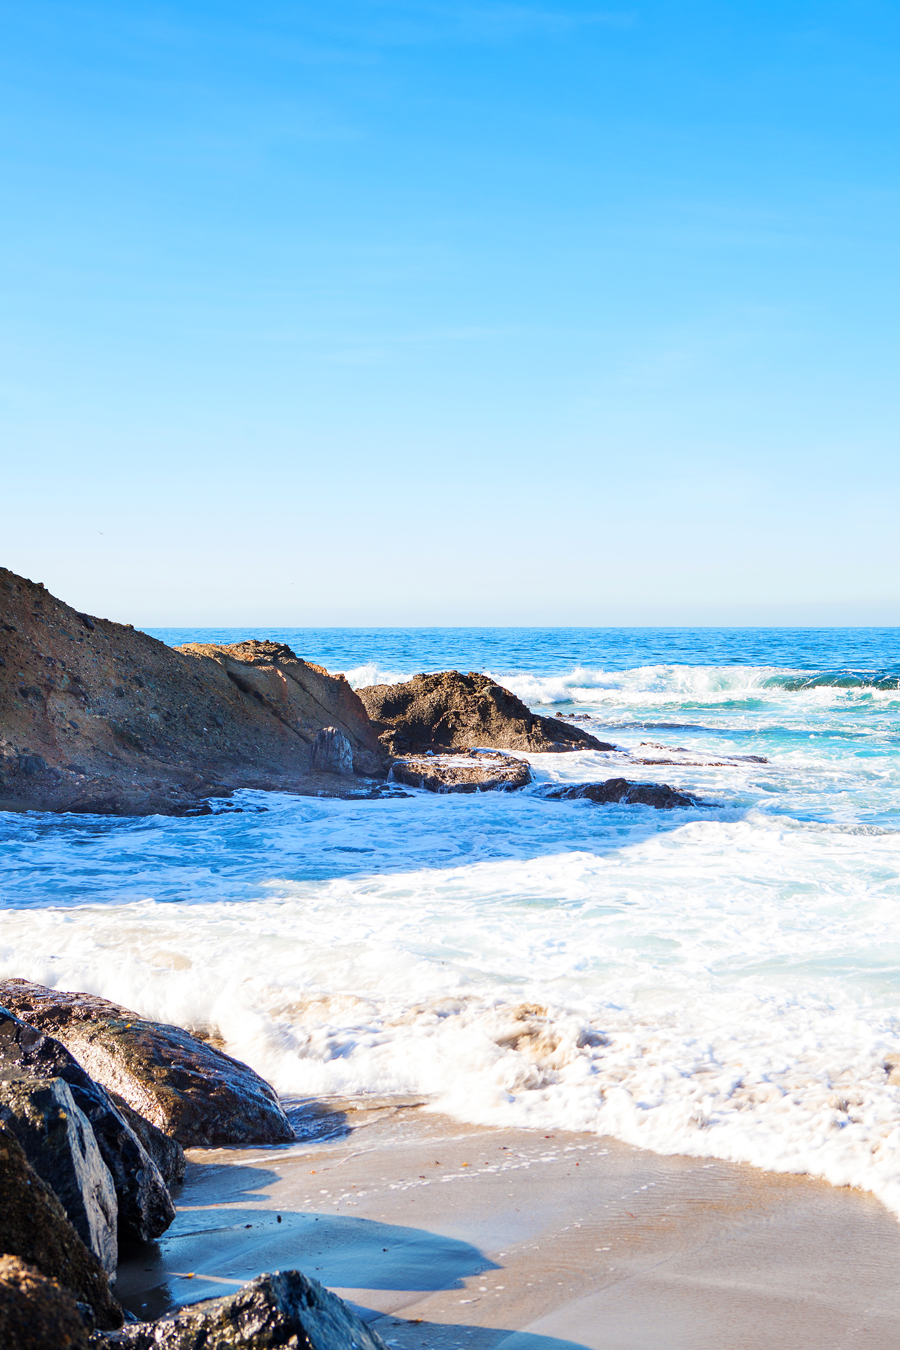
(101,718)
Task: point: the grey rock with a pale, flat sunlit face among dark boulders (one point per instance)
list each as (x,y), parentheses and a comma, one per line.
(60,1145)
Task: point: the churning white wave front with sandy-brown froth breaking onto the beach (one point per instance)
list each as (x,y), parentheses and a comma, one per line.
(808,1093)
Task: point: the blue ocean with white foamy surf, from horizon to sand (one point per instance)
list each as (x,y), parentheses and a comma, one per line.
(720,982)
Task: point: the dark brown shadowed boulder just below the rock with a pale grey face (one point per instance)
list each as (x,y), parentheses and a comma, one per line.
(34,1228)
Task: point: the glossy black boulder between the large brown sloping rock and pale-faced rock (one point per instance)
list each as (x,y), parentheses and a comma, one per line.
(145,1205)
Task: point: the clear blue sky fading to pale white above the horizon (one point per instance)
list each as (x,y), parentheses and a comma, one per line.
(446,314)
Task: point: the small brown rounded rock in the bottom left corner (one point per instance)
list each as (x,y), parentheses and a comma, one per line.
(36,1313)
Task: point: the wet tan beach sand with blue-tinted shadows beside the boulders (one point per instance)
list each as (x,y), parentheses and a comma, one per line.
(446,1236)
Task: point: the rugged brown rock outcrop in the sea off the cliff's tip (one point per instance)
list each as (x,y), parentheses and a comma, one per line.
(455,712)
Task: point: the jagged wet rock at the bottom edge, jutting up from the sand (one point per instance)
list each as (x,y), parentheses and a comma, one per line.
(276,1310)
